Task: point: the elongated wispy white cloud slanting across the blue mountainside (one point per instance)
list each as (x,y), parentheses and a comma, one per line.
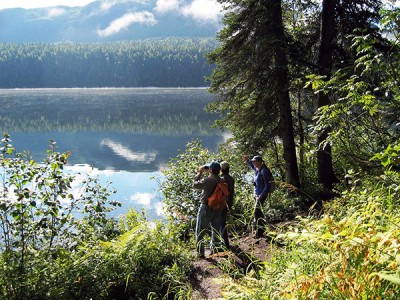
(126,20)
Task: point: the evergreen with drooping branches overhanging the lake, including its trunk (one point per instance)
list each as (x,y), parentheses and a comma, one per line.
(251,78)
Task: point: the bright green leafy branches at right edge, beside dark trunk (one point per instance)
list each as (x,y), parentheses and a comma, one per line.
(364,118)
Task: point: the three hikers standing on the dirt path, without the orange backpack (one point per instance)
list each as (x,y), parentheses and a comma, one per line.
(215,220)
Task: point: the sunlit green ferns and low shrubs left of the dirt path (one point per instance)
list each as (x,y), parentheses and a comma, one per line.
(146,260)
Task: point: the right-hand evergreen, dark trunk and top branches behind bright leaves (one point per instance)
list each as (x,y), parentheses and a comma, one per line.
(338,20)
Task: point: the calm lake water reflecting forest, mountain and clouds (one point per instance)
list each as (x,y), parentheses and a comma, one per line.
(124,136)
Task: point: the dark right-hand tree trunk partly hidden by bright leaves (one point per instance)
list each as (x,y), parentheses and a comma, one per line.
(326,175)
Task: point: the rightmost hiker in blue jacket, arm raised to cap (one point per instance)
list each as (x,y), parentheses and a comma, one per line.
(262,187)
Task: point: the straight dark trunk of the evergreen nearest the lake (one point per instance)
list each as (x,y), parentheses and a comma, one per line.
(282,93)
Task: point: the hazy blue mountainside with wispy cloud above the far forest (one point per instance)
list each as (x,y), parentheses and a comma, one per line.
(101,22)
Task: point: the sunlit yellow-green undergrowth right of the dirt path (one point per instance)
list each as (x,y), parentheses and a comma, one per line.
(358,244)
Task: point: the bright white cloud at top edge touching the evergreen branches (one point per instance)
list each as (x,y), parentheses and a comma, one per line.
(203,10)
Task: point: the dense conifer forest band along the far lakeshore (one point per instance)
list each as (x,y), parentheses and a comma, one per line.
(170,62)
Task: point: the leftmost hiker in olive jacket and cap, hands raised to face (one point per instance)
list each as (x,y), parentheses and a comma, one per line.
(207,217)
